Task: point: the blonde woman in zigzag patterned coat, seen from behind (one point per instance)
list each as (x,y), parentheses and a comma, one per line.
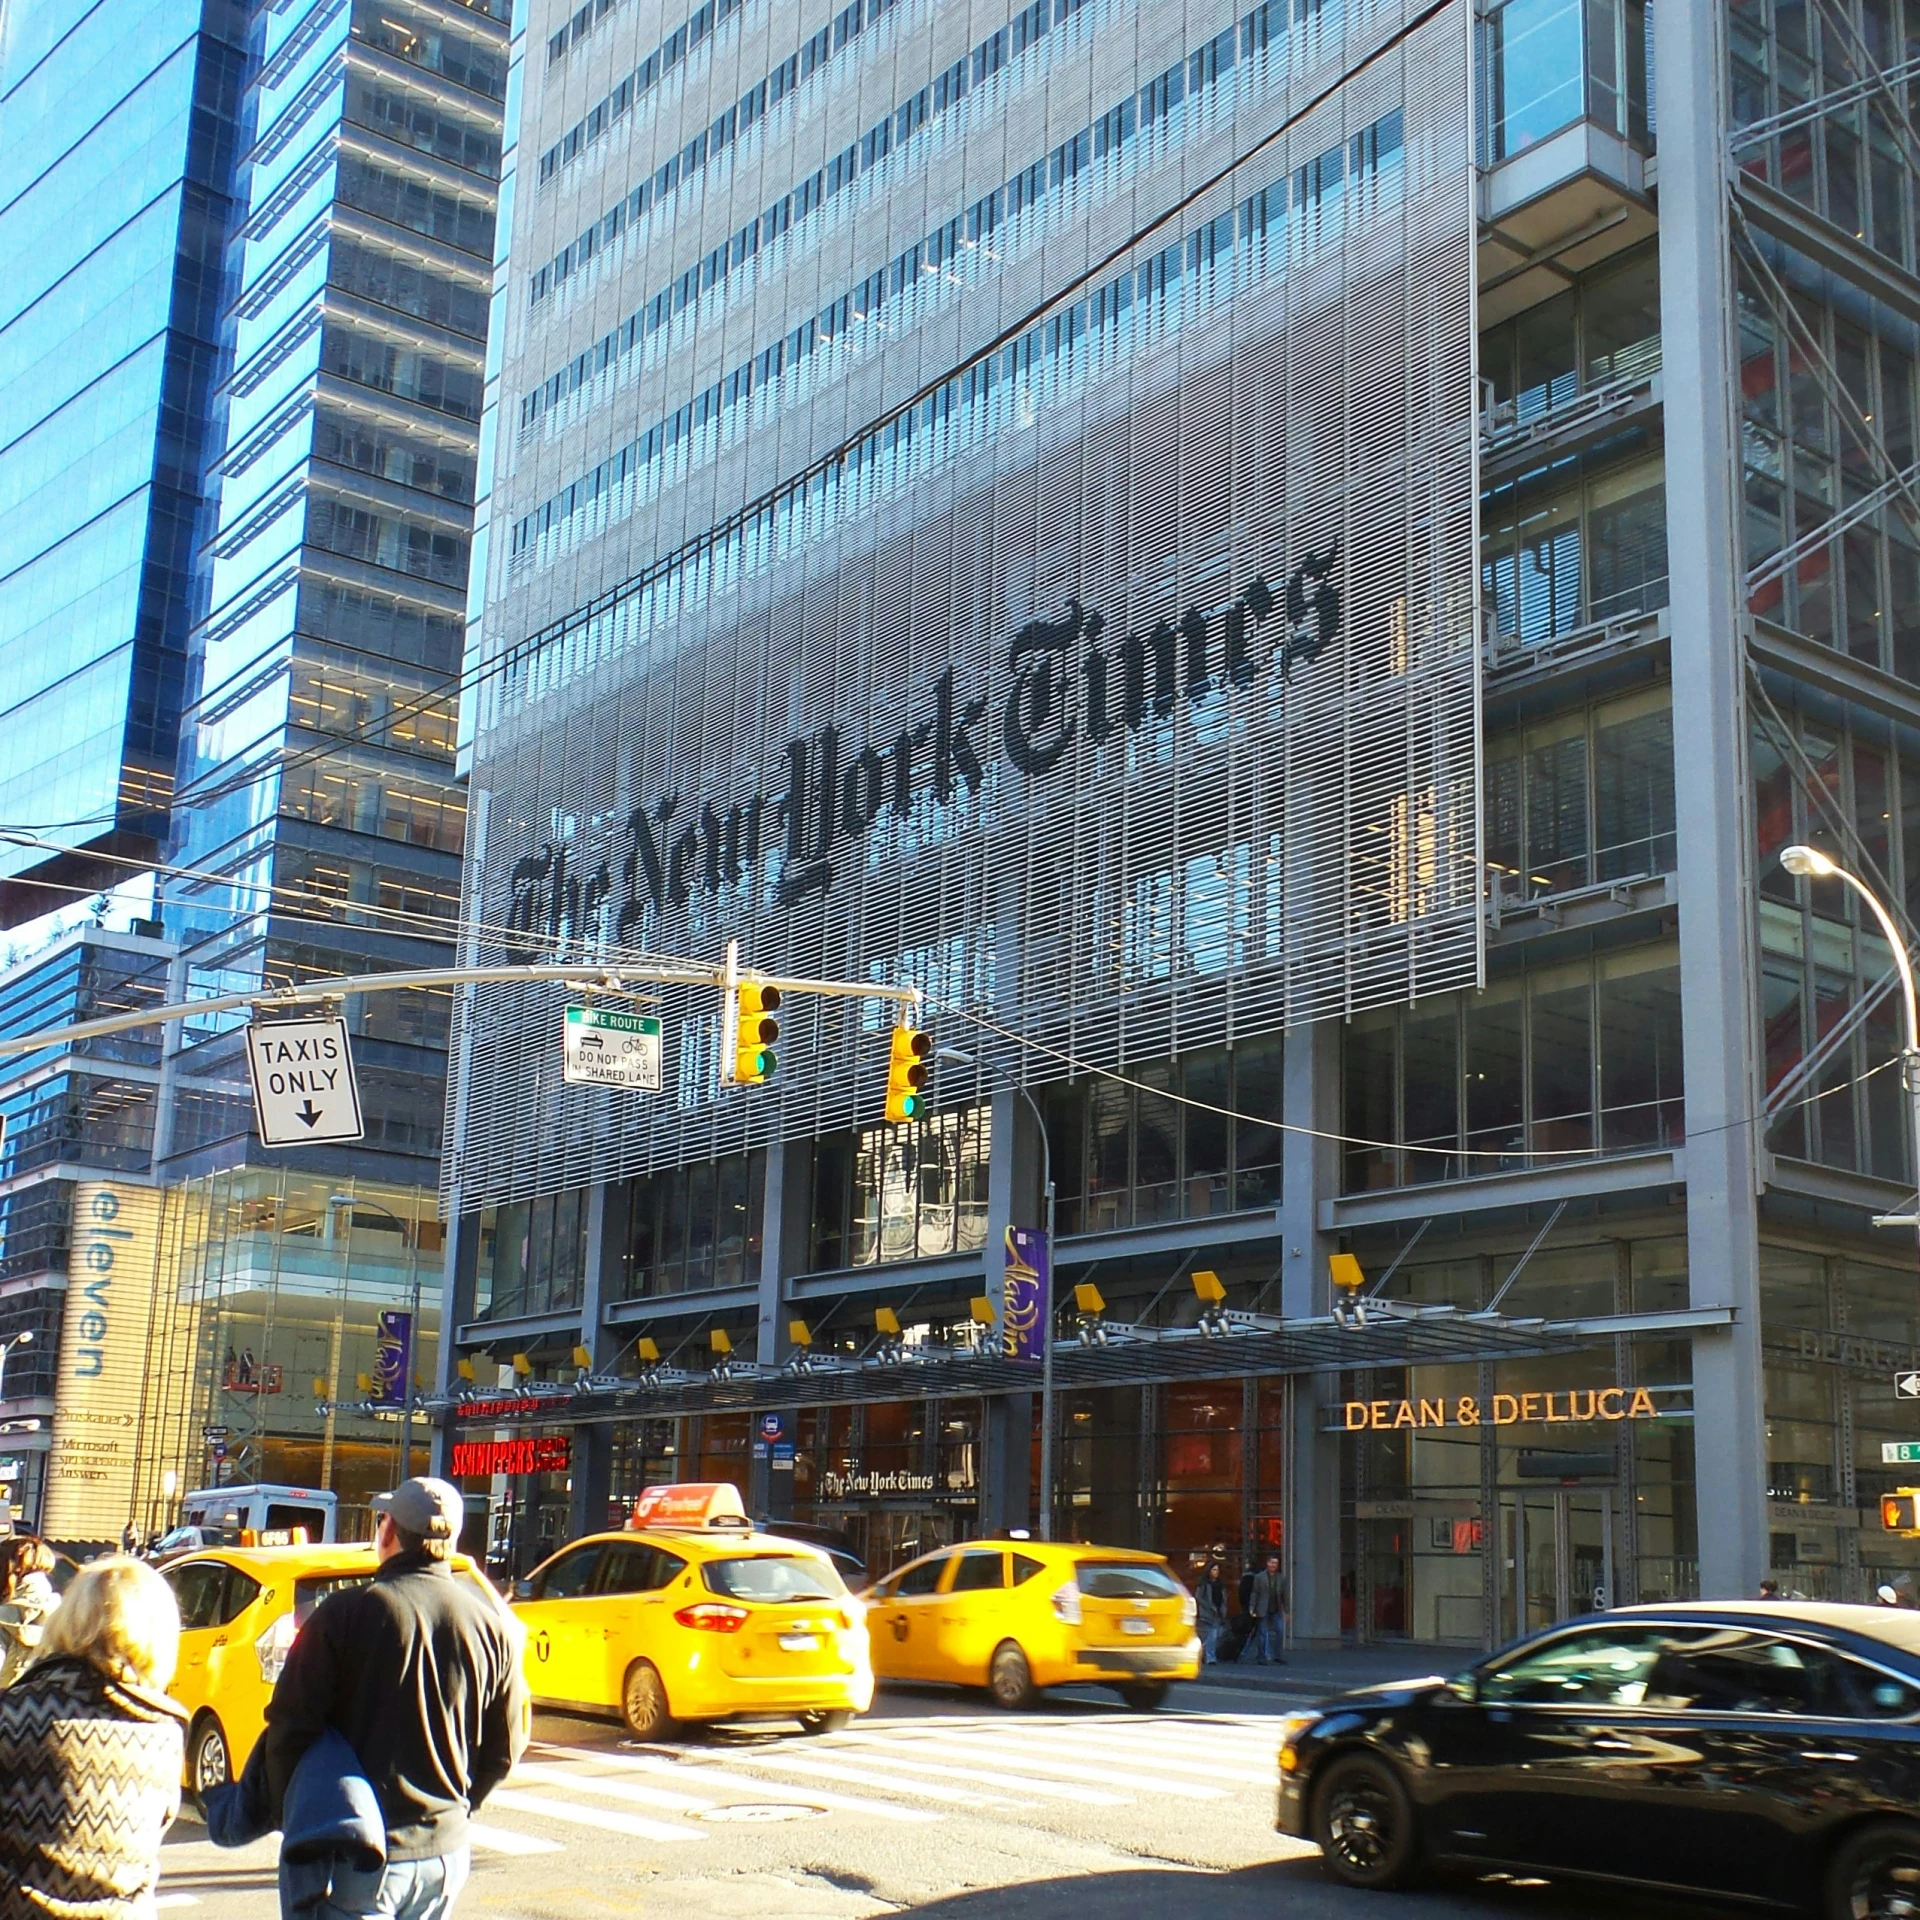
(91,1752)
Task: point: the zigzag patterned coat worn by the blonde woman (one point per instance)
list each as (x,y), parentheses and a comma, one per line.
(89,1787)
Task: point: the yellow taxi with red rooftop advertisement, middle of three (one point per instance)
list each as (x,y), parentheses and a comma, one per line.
(692,1616)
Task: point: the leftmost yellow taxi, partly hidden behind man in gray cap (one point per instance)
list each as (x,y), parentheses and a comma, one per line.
(241,1610)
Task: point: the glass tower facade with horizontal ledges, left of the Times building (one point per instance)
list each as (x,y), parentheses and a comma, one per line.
(318,754)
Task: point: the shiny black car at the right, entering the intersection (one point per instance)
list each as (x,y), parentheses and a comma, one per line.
(1764,1754)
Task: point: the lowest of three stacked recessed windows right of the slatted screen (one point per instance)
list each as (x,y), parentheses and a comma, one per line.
(1581,800)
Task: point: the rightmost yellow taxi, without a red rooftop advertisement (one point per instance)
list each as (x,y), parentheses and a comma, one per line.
(1020,1616)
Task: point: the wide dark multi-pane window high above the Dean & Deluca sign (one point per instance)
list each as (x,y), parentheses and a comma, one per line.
(1556,1061)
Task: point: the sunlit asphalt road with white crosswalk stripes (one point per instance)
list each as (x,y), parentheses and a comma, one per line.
(932,1804)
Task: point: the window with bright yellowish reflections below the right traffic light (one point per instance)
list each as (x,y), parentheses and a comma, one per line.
(901,1193)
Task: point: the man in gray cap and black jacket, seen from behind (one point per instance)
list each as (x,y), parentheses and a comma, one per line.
(420,1671)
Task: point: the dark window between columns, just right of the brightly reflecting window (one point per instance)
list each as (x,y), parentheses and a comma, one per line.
(1128,1157)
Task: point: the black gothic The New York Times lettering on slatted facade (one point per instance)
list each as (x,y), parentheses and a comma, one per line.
(1068,681)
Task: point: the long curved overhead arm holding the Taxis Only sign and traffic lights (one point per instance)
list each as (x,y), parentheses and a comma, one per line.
(583,974)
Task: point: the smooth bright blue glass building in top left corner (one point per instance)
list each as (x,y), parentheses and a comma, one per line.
(116,151)
